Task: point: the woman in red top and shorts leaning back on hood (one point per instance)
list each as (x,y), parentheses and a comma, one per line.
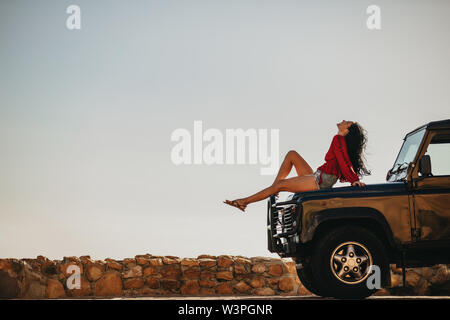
(343,161)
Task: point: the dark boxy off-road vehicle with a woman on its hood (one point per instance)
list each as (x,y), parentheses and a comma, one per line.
(337,235)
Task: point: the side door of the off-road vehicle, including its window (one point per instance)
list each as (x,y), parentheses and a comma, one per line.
(431,193)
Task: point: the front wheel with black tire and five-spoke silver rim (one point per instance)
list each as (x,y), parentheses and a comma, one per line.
(341,262)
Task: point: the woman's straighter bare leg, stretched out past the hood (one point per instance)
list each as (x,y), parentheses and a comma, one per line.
(295,184)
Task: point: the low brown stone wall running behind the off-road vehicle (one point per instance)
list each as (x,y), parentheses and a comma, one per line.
(147,275)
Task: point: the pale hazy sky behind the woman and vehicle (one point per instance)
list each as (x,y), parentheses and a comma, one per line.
(87,115)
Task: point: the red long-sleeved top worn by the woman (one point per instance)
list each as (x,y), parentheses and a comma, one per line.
(337,161)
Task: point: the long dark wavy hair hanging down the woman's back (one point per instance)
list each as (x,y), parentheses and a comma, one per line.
(356,140)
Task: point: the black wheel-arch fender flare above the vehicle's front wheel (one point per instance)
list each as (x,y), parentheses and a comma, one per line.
(349,214)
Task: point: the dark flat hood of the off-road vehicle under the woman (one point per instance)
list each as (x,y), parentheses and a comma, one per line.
(388,188)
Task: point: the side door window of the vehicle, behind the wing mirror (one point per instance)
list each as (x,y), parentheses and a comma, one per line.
(439,152)
